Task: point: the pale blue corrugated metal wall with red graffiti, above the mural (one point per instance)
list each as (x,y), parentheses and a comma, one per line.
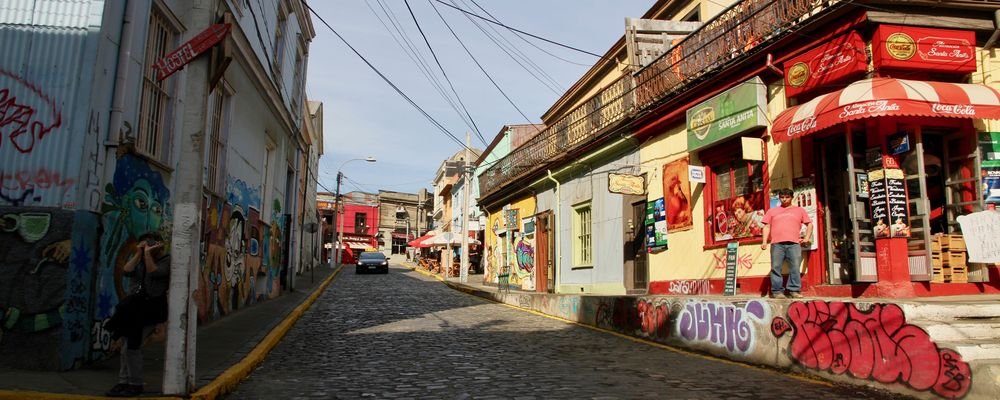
(41,62)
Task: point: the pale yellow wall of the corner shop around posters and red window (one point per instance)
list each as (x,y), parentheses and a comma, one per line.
(686,257)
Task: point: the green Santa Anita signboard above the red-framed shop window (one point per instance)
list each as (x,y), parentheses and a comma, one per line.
(734,111)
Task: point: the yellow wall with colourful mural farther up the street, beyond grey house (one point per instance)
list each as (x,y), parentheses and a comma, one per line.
(495,248)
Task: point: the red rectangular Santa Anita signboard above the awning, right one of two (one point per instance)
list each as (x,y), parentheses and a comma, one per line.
(910,47)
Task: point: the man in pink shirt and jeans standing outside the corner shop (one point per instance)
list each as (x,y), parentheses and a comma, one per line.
(782,226)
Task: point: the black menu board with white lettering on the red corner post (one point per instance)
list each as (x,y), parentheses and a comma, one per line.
(889,203)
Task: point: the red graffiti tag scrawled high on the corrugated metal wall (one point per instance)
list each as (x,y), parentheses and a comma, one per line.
(19,121)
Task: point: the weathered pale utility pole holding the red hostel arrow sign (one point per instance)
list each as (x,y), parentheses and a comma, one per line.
(182,315)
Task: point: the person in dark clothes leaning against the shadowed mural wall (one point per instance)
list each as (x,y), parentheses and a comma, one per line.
(138,313)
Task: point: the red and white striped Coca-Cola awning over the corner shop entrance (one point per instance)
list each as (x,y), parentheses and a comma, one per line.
(887,97)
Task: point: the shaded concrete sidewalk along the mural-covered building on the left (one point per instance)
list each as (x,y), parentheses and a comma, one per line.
(228,351)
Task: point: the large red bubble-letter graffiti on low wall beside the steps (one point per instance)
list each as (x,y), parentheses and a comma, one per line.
(875,344)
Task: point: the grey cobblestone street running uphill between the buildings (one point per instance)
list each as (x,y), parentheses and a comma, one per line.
(404,335)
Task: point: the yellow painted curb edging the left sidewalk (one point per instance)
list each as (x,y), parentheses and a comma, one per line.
(229,379)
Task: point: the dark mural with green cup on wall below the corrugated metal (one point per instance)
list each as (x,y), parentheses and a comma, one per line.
(35,255)
